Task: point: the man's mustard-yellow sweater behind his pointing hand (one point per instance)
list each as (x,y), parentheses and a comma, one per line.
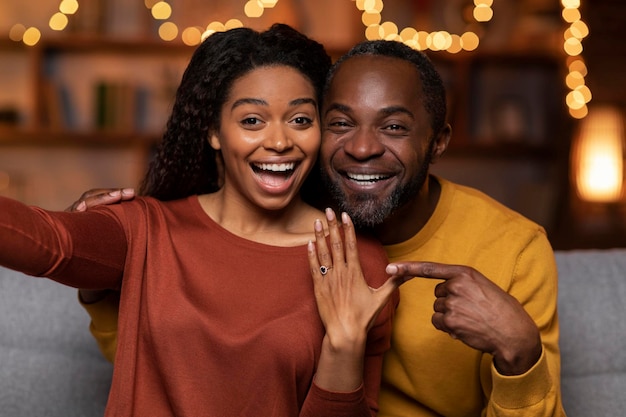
(427,373)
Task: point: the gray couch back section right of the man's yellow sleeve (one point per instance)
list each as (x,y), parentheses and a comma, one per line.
(592,315)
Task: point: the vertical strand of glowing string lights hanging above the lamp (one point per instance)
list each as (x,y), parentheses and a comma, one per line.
(579,94)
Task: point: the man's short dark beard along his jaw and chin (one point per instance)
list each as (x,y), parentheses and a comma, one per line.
(367,210)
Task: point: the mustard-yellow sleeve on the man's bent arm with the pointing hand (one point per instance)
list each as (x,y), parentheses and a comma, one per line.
(536,392)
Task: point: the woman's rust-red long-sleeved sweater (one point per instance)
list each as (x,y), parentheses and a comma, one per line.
(210,324)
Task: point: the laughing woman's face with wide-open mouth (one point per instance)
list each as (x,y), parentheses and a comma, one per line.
(269,136)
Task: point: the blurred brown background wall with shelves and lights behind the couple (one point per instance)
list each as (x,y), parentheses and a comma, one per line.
(82,106)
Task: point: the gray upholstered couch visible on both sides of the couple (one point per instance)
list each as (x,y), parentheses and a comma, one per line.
(50,366)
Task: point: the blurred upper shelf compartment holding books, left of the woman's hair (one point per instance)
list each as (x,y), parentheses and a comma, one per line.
(85,87)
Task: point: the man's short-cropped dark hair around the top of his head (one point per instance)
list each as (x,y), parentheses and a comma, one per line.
(432,85)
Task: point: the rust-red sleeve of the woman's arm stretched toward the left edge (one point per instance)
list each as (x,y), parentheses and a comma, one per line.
(85,249)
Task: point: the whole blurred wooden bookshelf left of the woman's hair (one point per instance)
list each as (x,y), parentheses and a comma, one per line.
(55,138)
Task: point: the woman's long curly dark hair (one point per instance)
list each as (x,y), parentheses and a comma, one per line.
(184,163)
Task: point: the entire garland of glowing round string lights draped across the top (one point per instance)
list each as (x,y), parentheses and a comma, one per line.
(577,98)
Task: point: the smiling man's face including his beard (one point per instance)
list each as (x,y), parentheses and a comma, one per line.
(376,137)
